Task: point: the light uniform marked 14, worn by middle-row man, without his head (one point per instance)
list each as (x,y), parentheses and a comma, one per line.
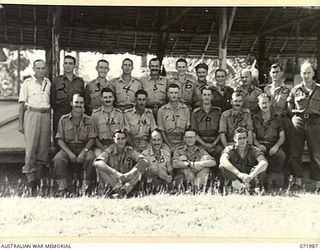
(139,127)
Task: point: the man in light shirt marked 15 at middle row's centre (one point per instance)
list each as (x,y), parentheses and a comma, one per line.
(173,119)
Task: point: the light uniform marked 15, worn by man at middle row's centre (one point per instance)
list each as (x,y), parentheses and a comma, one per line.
(174,122)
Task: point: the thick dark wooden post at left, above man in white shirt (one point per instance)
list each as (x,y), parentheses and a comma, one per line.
(53,50)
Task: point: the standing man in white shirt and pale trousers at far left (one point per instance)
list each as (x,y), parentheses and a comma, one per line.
(34,123)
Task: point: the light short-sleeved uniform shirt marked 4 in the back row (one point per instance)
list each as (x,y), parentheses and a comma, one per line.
(125,92)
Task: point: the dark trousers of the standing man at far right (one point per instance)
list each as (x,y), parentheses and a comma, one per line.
(305,130)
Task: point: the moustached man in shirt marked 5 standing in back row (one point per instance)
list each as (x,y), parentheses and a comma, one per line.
(155,85)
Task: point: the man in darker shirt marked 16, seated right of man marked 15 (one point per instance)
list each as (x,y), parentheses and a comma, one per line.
(205,121)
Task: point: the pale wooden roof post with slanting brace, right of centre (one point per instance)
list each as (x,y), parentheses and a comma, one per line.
(222,32)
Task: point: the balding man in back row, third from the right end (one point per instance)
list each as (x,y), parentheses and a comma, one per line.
(250,92)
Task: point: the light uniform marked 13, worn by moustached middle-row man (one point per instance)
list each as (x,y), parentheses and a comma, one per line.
(105,124)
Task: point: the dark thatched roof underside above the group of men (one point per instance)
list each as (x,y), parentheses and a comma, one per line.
(183,31)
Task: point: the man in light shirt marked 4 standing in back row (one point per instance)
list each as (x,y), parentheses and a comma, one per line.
(125,86)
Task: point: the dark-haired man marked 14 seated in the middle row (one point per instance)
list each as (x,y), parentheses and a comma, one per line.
(139,122)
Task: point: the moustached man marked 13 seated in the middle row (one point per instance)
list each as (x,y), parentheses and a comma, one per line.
(106,120)
